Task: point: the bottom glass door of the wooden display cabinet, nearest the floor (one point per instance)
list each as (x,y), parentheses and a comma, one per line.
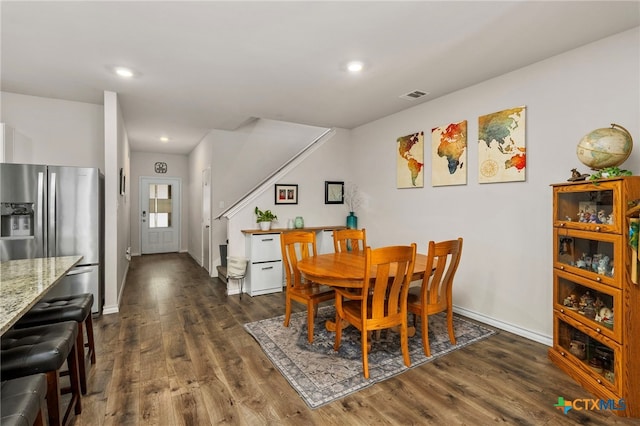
(597,356)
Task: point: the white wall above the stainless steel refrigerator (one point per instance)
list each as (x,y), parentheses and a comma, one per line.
(53,131)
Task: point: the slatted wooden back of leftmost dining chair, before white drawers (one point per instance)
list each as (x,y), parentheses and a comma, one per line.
(296,245)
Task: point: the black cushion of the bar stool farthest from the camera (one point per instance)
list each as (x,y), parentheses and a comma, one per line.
(58,309)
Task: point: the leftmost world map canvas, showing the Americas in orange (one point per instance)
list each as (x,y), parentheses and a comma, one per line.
(410,161)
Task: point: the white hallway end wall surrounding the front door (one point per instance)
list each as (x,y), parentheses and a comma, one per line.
(143,164)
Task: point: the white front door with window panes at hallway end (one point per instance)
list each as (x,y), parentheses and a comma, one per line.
(159,215)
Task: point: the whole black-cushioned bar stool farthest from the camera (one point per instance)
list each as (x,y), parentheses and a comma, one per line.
(67,308)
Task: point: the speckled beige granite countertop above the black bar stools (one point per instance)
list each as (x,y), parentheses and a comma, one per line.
(24,282)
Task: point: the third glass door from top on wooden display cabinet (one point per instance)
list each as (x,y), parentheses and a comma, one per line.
(589,302)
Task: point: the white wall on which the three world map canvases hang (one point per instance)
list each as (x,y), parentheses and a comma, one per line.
(505,275)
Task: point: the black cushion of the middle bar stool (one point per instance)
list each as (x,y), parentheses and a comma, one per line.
(34,350)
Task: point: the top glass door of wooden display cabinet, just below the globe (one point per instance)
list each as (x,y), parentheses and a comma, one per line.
(588,206)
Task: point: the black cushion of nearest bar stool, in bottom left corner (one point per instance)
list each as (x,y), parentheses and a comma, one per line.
(22,399)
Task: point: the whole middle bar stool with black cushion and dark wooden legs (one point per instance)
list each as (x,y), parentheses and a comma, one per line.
(44,349)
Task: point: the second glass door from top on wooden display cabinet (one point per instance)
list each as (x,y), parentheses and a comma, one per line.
(592,255)
